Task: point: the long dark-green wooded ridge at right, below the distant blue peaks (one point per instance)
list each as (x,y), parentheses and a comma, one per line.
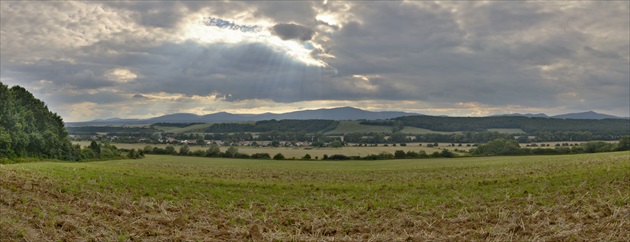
(617,127)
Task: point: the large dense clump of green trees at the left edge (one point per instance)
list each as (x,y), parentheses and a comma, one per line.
(29,129)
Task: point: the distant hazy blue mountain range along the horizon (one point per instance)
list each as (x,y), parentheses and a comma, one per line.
(343,113)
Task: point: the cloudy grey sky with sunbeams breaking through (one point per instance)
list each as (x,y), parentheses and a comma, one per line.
(137,59)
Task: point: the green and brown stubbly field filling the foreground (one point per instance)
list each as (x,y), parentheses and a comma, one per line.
(573,197)
